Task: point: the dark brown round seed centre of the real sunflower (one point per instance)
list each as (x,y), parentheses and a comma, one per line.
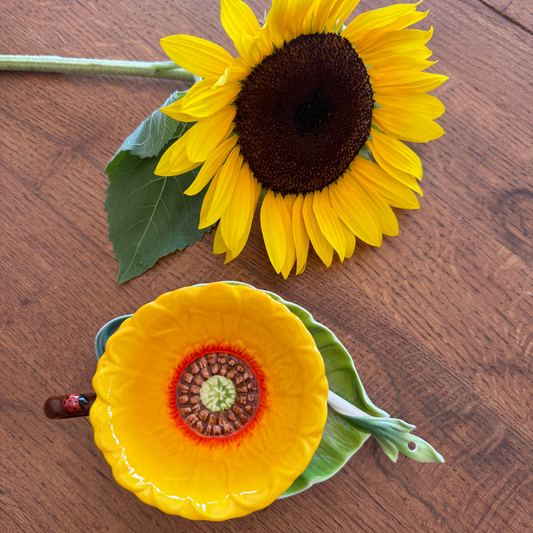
(304,113)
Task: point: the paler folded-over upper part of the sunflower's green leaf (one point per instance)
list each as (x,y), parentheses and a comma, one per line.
(150,137)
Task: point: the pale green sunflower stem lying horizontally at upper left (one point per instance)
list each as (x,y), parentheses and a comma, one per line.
(167,70)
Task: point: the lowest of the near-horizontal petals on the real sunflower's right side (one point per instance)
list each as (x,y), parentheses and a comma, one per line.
(407,125)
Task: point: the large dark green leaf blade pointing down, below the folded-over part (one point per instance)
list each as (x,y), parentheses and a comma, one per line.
(149,216)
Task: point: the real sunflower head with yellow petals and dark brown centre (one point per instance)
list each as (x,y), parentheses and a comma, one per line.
(314,113)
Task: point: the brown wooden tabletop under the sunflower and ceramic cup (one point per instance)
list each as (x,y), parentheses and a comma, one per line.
(438,320)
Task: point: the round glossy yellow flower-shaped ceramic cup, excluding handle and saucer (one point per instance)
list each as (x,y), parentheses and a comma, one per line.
(211,401)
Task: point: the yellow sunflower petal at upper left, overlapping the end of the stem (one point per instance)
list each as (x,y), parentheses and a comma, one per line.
(201,57)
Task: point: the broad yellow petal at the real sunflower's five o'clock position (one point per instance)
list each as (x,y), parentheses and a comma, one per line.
(355,212)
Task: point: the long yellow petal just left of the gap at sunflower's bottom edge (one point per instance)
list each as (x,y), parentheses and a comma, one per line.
(237,219)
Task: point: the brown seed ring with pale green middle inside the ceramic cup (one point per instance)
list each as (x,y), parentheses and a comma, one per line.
(217,395)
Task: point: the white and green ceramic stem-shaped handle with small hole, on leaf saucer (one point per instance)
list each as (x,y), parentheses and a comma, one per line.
(392,434)
